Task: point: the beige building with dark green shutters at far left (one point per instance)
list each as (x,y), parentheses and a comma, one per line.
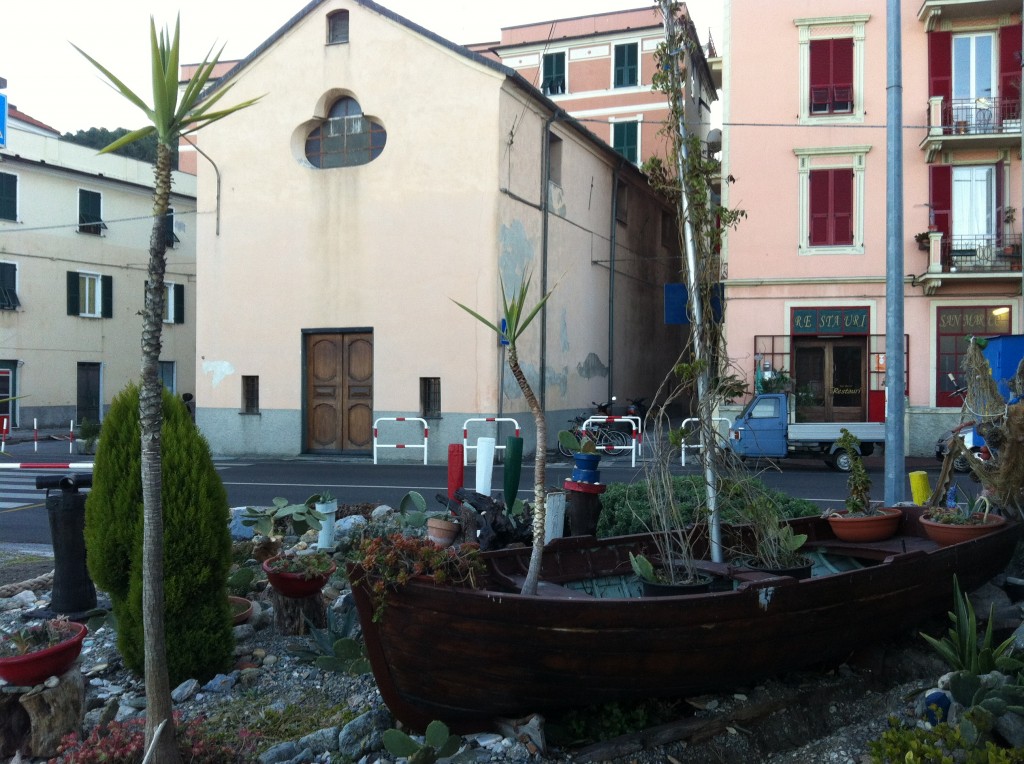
(74,248)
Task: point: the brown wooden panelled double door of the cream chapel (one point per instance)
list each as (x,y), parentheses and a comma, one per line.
(339,392)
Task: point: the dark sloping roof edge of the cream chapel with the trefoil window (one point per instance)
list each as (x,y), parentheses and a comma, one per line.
(515,77)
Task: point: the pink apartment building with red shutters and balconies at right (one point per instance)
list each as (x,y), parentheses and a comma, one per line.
(805,139)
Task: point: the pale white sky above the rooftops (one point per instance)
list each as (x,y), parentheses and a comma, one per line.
(49,80)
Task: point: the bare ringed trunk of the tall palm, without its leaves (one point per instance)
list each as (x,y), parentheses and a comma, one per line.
(158,691)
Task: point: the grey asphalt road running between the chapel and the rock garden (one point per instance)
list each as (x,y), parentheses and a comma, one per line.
(358,481)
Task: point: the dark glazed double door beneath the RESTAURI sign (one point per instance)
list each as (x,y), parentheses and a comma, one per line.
(831,380)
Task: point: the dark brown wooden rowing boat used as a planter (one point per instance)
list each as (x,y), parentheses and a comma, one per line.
(567,649)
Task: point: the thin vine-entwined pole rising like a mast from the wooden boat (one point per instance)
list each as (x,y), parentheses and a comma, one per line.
(694,294)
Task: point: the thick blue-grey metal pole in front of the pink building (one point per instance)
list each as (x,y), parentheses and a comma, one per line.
(895,365)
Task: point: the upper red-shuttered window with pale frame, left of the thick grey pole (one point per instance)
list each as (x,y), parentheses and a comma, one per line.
(832,68)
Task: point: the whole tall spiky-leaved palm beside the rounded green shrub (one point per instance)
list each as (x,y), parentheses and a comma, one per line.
(173,115)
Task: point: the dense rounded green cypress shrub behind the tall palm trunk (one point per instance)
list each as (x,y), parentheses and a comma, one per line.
(197,540)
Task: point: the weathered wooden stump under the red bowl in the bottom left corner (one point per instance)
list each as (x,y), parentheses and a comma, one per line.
(33,721)
